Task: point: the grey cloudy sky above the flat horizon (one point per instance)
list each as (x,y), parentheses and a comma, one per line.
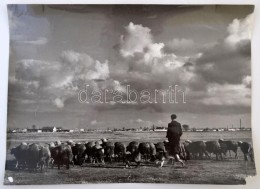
(55,51)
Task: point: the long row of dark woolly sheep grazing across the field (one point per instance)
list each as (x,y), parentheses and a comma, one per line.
(35,156)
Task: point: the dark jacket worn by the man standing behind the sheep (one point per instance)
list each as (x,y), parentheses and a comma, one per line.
(174,131)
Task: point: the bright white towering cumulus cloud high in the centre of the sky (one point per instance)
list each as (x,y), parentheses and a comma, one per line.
(144,56)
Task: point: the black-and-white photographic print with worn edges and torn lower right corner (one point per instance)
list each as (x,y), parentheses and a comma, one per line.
(129,94)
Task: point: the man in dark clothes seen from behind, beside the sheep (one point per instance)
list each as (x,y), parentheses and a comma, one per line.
(174,133)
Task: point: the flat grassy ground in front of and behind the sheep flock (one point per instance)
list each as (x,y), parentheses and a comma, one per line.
(228,171)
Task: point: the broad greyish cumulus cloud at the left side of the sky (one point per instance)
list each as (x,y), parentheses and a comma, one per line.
(58,80)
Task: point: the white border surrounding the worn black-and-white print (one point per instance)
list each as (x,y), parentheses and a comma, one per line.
(253,182)
